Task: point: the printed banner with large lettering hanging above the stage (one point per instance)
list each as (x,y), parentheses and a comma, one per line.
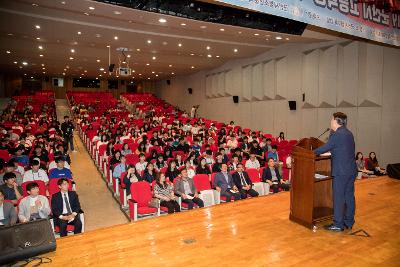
(346,16)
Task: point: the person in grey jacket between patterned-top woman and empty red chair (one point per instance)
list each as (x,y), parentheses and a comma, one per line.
(186,189)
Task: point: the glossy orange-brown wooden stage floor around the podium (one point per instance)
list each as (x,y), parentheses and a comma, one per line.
(253,232)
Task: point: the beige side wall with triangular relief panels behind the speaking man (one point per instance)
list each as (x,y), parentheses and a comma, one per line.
(357,78)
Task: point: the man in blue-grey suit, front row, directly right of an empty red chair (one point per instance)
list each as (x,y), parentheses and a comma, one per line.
(224,184)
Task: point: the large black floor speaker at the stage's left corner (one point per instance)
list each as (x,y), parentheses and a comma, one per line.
(26,240)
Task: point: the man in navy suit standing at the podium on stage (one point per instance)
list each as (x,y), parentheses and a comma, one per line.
(344,172)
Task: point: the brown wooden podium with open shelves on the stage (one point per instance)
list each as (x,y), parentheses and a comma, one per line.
(310,198)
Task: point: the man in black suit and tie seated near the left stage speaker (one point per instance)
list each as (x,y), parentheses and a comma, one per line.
(65,207)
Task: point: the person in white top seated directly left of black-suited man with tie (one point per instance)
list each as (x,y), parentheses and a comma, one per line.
(34,206)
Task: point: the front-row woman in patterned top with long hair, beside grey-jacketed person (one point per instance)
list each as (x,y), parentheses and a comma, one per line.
(165,193)
